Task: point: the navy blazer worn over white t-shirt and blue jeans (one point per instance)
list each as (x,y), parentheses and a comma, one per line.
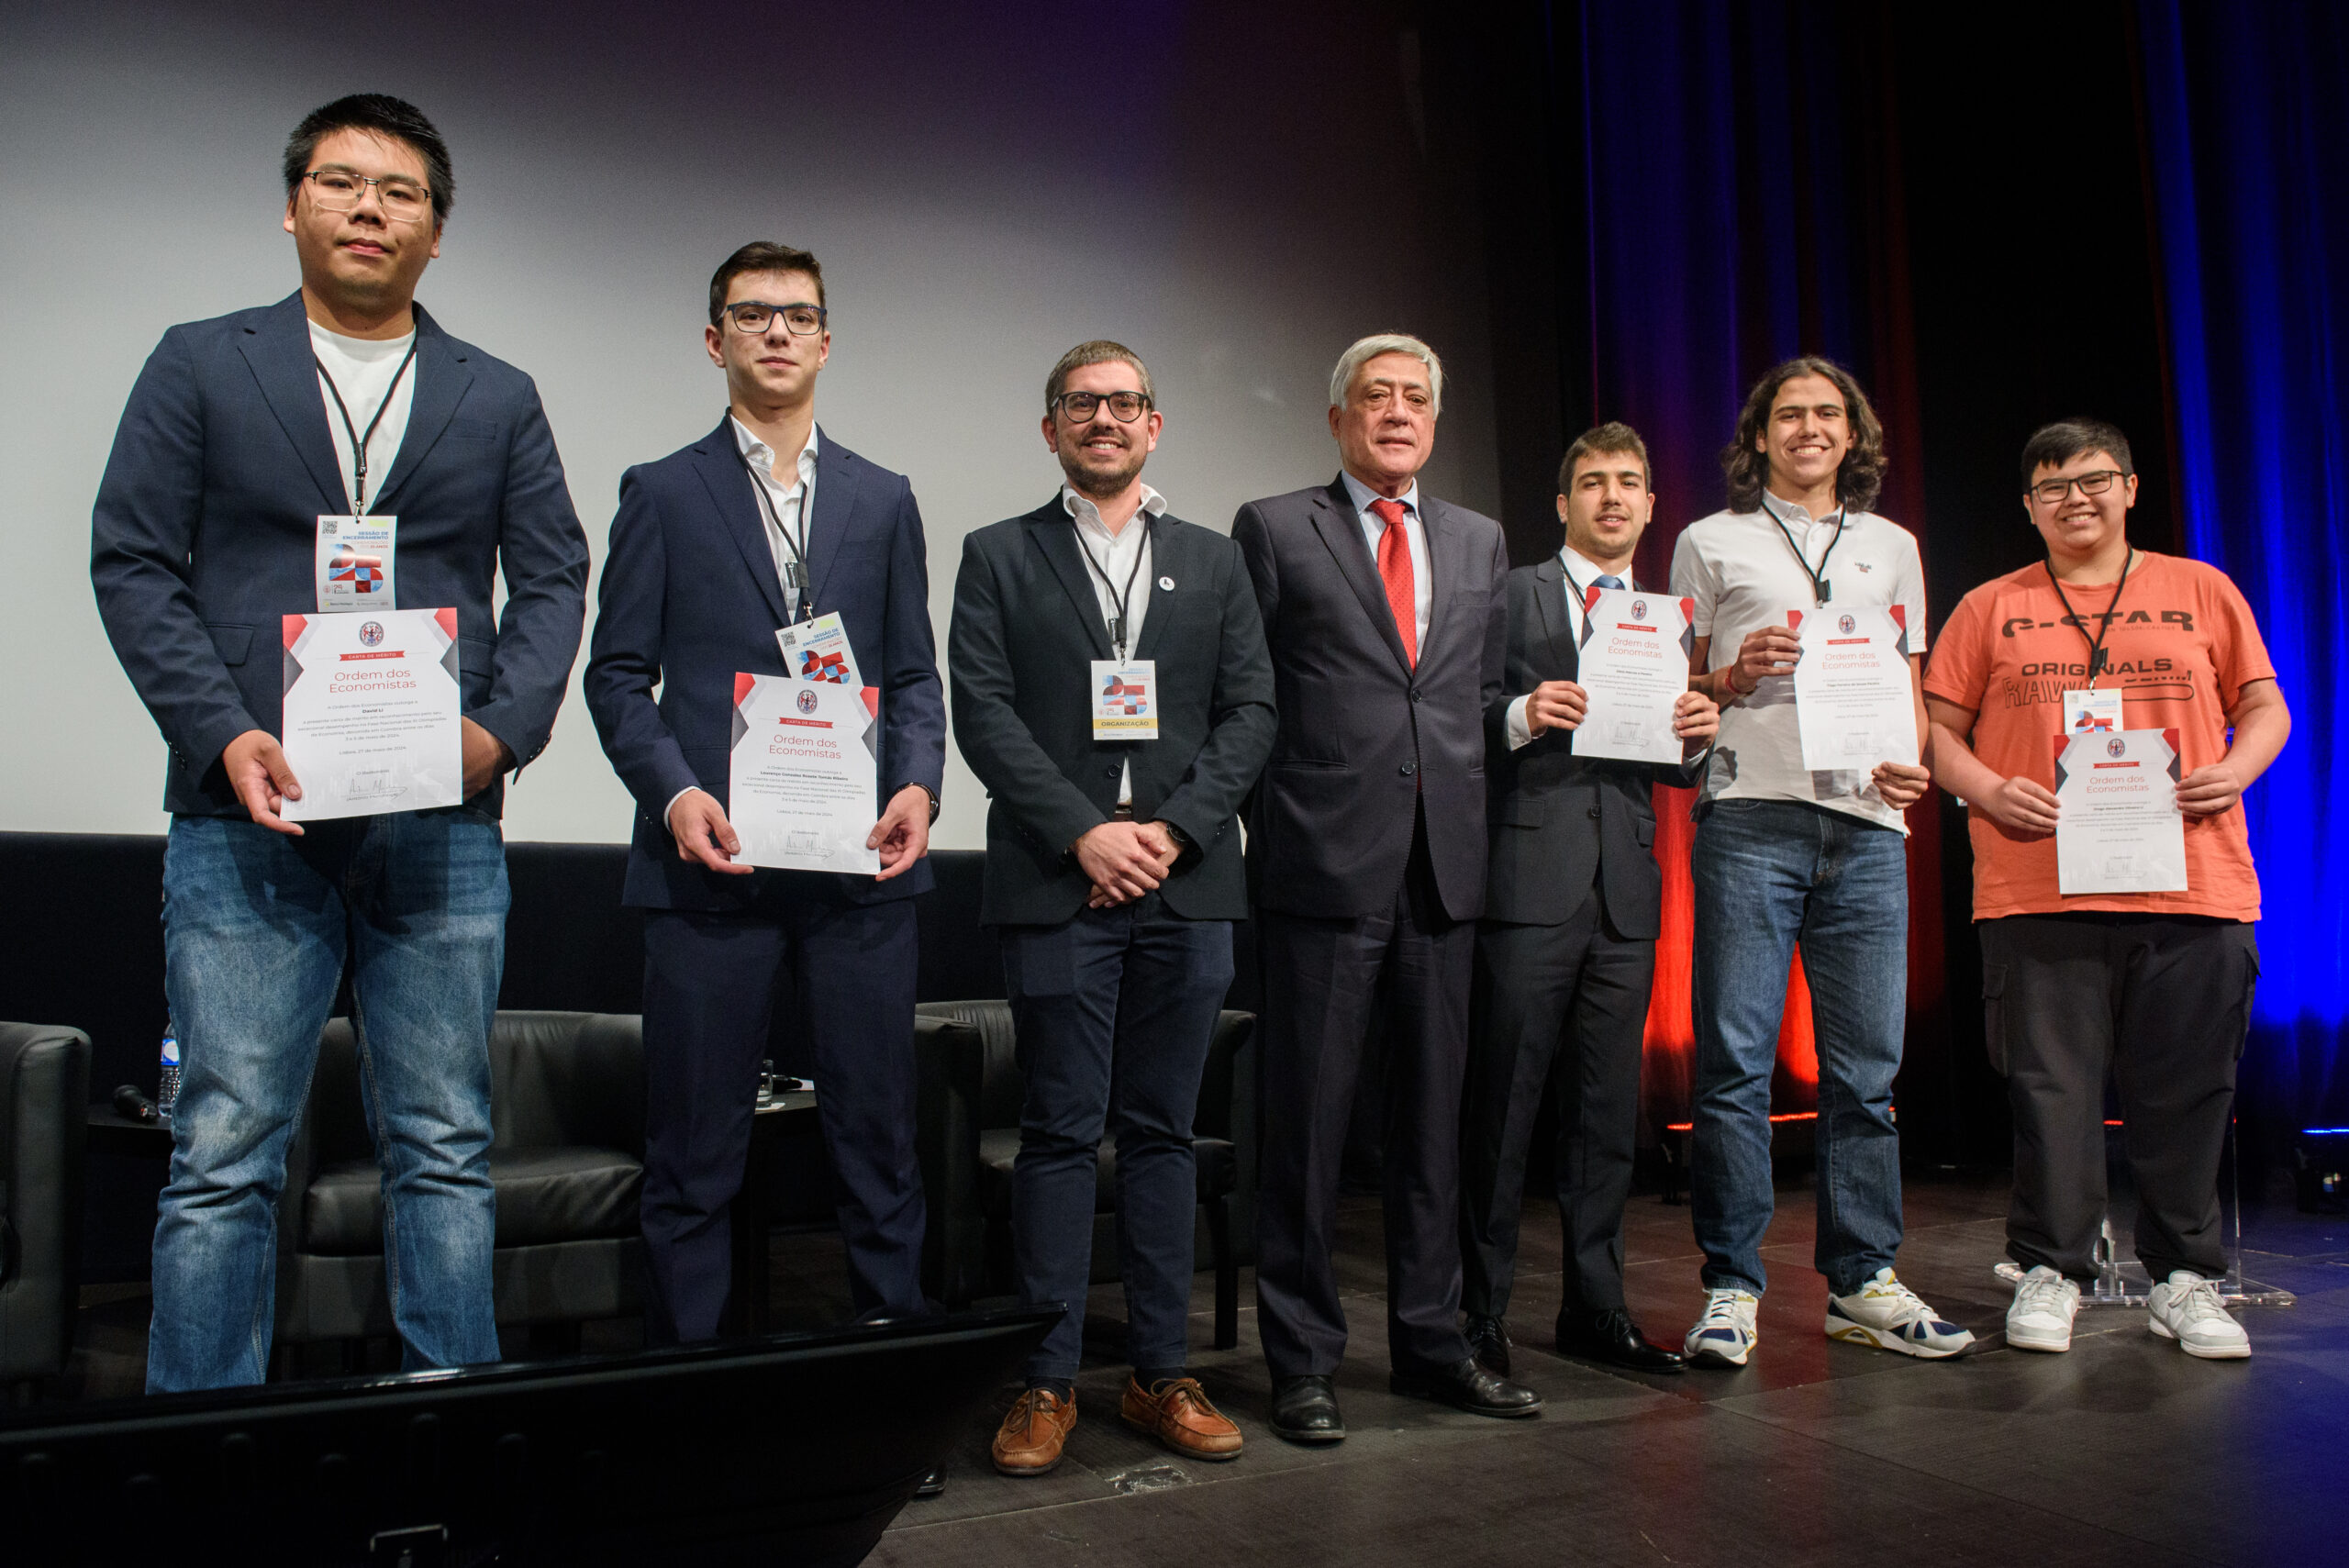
(208,522)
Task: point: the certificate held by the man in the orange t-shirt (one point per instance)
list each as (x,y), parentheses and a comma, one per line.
(2118,825)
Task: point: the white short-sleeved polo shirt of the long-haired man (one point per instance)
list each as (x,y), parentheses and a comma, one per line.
(1742,572)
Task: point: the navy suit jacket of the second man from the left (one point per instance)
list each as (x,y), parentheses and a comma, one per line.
(689,597)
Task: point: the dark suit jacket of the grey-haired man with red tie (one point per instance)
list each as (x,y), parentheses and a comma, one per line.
(1364,736)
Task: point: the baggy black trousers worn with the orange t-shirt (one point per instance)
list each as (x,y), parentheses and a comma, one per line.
(2162,1003)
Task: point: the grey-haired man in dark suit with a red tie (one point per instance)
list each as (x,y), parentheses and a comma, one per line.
(1385,621)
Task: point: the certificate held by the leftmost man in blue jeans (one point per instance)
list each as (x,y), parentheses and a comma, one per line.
(372,715)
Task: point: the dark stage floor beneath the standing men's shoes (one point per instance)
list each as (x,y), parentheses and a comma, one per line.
(2122,1452)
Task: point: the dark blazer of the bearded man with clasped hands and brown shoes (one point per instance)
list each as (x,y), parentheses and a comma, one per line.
(1028,628)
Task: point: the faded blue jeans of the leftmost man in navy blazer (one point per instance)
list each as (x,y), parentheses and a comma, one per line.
(255,938)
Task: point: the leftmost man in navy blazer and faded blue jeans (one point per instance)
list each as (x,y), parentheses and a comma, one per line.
(243,438)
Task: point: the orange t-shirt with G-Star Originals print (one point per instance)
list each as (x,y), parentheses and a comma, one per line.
(2181,647)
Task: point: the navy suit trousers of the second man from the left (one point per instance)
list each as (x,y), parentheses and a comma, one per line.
(708,994)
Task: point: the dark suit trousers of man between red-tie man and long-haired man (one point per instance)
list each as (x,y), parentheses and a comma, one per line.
(1573,996)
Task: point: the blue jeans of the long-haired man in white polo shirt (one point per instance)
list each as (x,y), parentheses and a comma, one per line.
(1772,874)
